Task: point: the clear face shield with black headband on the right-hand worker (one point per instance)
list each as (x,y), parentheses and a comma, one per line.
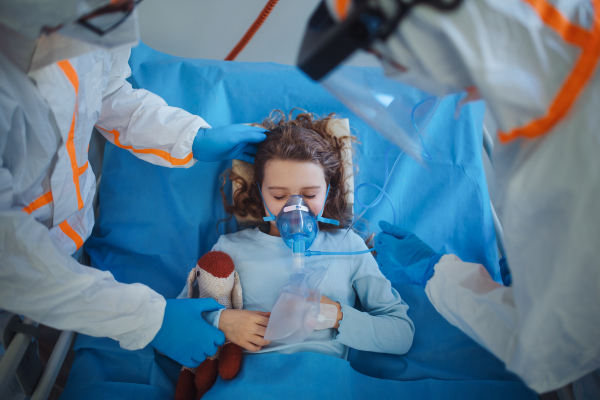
(333,34)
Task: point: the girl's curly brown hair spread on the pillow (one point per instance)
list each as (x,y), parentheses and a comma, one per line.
(304,138)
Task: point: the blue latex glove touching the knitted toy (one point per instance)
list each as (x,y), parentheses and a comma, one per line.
(184,335)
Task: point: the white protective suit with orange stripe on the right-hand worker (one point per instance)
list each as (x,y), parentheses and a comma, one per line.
(535,62)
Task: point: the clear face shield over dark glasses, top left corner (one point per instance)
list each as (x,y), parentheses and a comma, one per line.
(41,34)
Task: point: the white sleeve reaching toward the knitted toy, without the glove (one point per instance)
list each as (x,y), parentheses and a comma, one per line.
(39,280)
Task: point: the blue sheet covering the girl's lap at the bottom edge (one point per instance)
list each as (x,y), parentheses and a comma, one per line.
(315,376)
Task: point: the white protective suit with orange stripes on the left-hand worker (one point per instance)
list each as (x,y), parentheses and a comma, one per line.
(46,186)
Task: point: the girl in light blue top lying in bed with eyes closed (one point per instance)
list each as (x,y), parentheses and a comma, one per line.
(303,157)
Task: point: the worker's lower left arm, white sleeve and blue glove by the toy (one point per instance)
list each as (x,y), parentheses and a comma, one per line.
(39,280)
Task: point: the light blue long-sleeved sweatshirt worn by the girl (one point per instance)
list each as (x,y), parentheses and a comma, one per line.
(264,264)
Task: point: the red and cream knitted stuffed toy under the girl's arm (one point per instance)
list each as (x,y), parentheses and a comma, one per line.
(217,279)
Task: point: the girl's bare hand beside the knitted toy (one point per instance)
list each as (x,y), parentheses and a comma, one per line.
(245,328)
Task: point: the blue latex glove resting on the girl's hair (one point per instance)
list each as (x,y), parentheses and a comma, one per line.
(227,143)
